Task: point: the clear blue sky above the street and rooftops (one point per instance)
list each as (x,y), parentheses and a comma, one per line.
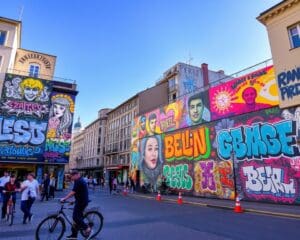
(116,48)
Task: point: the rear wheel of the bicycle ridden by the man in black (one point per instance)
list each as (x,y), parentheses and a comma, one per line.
(94,220)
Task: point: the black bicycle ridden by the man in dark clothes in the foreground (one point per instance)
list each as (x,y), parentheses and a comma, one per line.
(55,224)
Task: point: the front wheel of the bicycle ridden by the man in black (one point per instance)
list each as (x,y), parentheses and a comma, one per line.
(52,227)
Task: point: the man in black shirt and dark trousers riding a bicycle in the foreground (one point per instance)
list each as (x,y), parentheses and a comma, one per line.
(80,192)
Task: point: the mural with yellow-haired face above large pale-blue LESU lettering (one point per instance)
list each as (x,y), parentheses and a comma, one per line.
(24,111)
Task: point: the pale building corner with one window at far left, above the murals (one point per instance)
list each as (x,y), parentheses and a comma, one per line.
(10,41)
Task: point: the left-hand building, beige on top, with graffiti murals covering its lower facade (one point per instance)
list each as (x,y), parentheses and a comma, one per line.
(37,106)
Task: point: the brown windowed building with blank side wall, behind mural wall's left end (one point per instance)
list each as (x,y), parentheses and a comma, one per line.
(119,126)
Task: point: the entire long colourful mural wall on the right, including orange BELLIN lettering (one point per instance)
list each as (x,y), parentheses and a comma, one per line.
(230,148)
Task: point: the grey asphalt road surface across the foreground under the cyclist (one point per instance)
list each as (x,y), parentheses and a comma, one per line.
(129,218)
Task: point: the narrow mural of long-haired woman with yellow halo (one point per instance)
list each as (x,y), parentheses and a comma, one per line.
(58,142)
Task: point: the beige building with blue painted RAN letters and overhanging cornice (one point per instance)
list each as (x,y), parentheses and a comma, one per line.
(283,25)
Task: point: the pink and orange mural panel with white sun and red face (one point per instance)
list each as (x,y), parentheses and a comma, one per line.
(251,92)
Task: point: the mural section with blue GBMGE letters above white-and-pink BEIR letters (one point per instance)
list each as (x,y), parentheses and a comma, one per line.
(266,154)
